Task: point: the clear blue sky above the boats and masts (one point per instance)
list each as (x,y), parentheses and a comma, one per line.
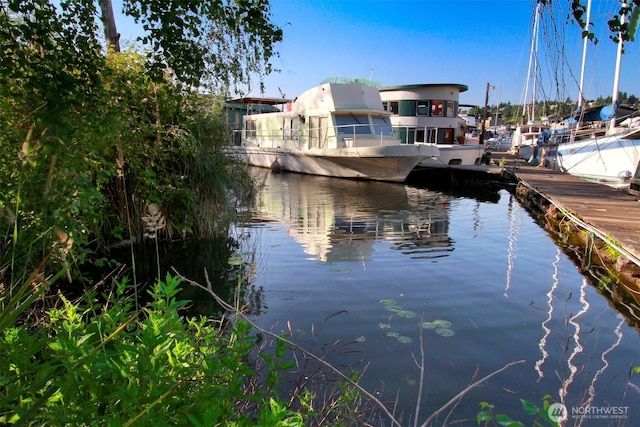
(470,42)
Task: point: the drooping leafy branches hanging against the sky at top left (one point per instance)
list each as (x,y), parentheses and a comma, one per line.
(220,43)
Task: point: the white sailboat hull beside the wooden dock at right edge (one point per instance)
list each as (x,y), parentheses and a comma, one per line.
(608,158)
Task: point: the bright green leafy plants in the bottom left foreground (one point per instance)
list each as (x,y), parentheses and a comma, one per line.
(103,363)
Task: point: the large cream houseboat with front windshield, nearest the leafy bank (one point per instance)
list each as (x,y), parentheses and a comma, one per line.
(338,129)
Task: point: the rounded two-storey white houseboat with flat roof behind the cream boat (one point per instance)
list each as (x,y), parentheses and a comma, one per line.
(427,114)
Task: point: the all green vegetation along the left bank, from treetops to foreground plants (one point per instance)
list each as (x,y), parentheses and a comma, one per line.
(101,146)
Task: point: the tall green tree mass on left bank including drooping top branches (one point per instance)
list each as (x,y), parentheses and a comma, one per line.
(91,140)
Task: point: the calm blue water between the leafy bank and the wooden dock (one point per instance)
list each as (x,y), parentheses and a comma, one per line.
(491,283)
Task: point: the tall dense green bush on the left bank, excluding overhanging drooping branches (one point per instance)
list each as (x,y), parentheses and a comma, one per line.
(94,150)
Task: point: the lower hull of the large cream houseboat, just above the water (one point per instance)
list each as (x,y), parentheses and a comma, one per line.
(380,163)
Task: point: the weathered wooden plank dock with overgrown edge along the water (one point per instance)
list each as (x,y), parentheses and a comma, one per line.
(610,216)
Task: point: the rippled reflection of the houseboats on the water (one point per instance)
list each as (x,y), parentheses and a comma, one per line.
(338,220)
